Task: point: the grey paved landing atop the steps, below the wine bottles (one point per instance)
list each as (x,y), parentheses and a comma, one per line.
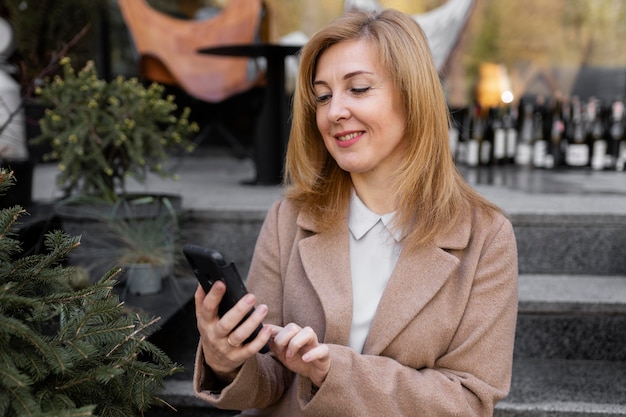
(213,179)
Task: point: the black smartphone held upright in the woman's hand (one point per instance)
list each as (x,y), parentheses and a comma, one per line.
(209,265)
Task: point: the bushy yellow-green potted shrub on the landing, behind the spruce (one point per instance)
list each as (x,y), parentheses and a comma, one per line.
(103,133)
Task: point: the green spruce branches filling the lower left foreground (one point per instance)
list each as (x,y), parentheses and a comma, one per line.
(65,350)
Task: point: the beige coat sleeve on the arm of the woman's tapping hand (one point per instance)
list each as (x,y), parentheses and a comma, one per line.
(468,379)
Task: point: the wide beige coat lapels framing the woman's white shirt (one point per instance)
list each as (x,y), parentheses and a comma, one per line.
(418,276)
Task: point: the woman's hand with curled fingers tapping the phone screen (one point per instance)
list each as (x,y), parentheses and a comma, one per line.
(300,351)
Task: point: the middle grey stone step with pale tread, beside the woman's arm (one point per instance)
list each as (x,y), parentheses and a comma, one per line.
(572,317)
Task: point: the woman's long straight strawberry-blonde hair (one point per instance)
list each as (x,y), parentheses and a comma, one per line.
(431,193)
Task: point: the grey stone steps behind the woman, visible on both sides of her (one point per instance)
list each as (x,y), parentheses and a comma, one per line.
(570,352)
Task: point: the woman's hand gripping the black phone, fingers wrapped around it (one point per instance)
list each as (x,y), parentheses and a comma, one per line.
(221,342)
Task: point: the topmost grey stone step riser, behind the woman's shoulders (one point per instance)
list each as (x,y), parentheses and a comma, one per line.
(548,243)
